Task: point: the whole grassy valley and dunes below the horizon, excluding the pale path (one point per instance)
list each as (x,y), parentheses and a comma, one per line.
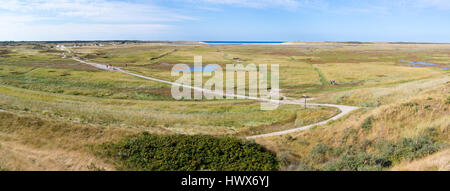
(60,114)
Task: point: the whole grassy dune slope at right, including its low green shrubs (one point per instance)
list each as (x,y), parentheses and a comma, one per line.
(372,135)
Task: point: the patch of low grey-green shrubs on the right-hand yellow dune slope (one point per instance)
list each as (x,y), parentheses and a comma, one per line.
(348,158)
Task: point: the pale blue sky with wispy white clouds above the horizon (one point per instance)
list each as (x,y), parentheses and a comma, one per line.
(226,20)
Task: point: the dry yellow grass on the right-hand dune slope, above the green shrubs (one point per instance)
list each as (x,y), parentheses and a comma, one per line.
(405,118)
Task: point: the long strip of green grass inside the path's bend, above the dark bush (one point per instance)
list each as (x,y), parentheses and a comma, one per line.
(190,117)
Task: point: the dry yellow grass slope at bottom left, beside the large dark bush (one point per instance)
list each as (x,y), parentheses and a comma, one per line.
(30,143)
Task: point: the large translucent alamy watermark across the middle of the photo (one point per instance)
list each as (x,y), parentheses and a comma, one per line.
(235,81)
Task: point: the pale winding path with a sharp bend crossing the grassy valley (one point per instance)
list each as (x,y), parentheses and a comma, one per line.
(344,109)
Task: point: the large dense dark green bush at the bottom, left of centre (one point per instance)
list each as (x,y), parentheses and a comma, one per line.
(182,153)
